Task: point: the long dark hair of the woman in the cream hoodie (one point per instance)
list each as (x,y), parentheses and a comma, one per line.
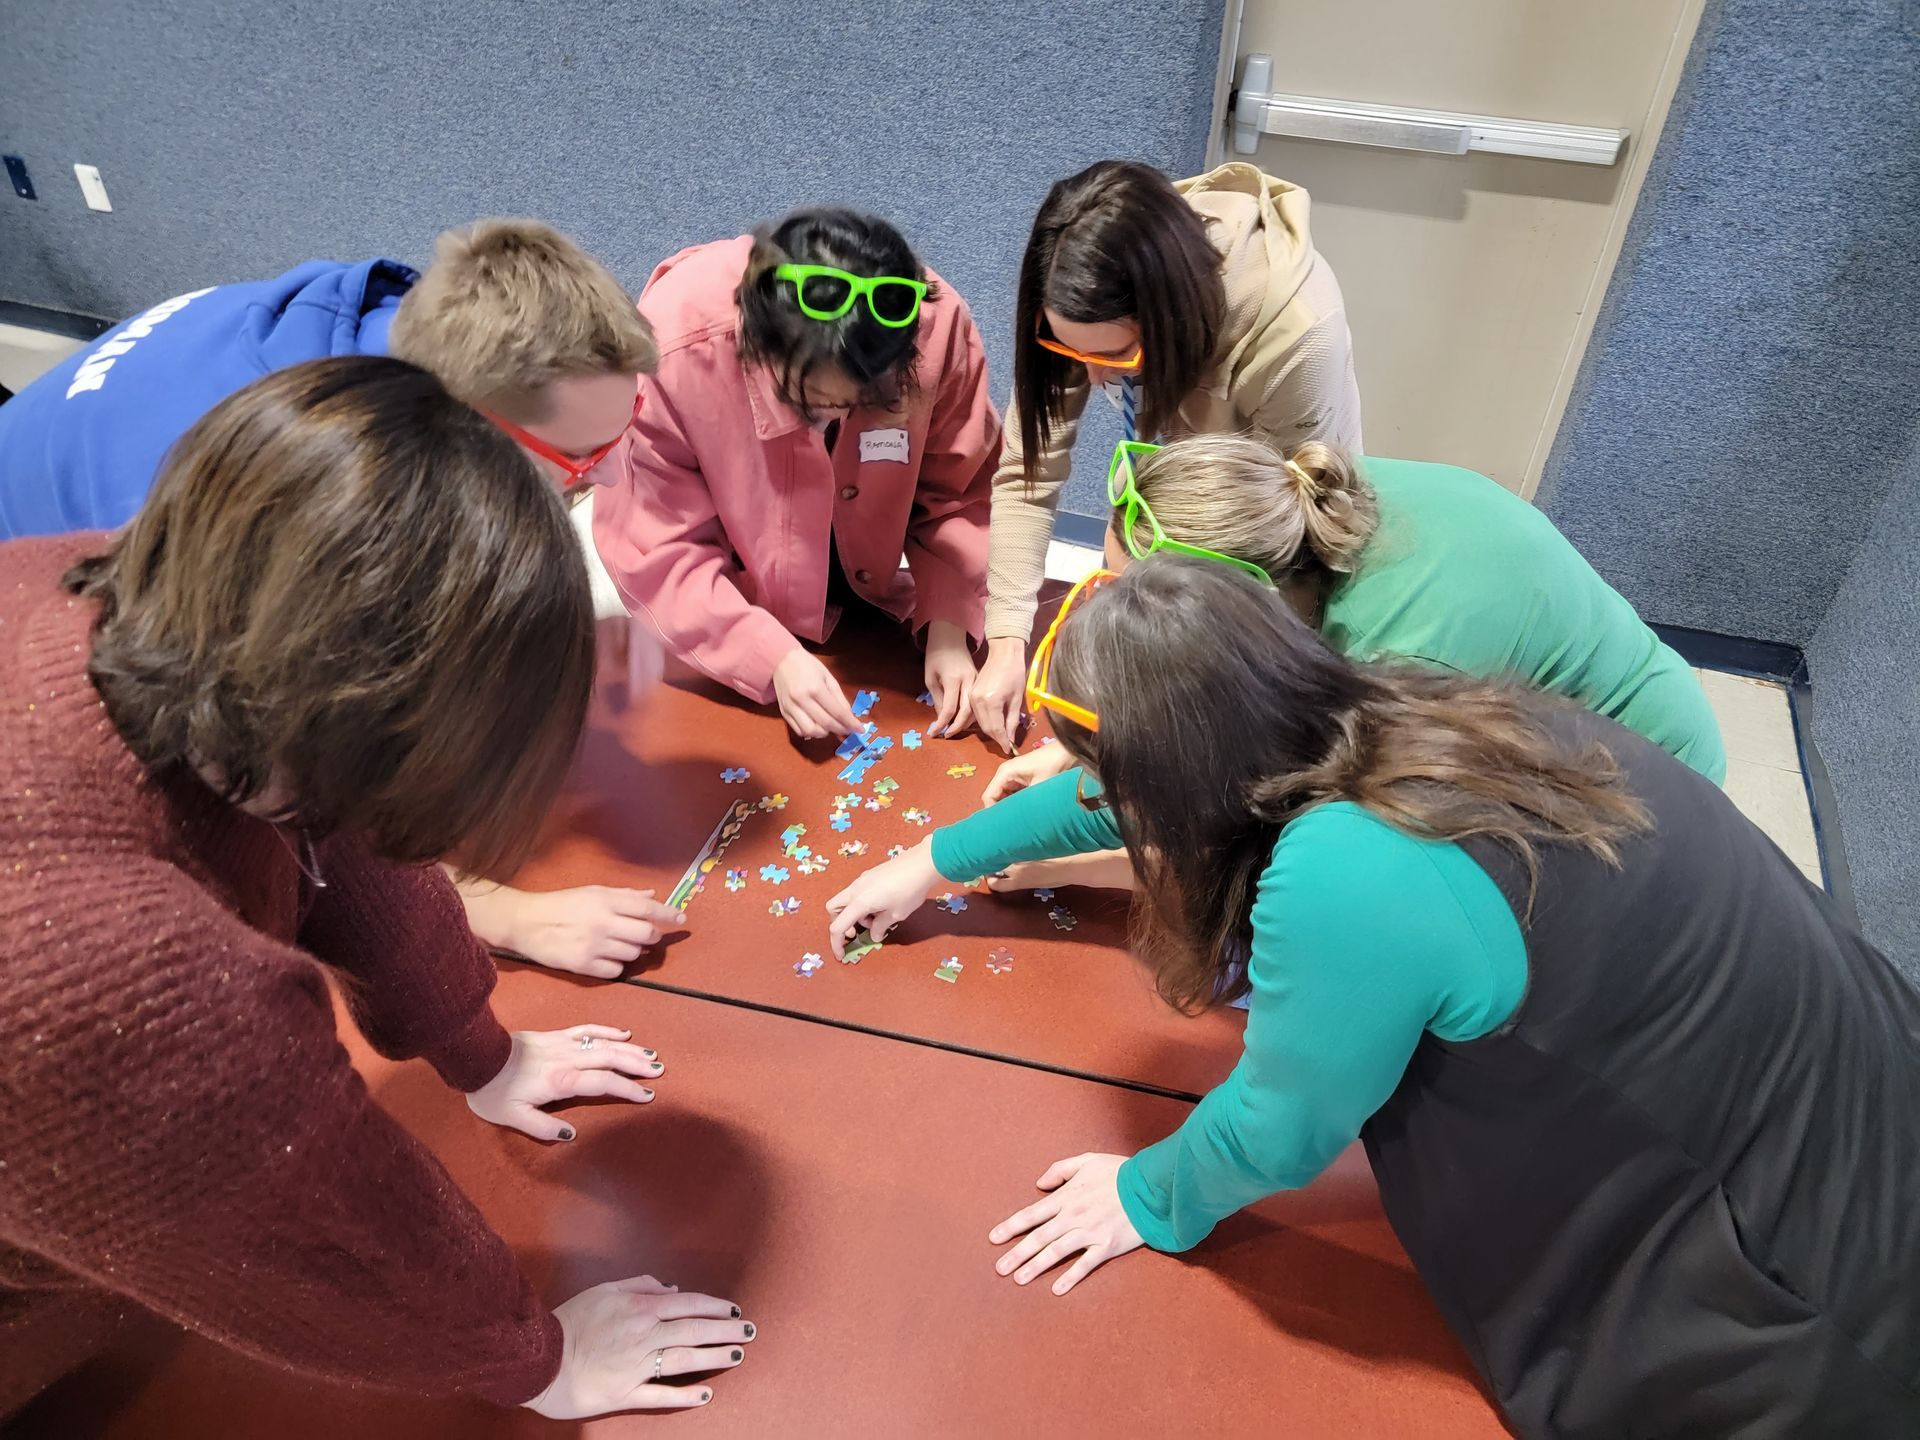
(1116,243)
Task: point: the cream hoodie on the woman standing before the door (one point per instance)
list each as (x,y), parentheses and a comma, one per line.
(1285,372)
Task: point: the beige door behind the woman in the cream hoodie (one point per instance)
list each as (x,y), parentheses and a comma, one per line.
(1472,279)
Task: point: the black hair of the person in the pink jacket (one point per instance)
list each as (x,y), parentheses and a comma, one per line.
(777,333)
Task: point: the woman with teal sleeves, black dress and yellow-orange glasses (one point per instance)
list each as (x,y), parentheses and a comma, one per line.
(1637,1095)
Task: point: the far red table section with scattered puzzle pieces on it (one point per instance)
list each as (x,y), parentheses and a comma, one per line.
(648,792)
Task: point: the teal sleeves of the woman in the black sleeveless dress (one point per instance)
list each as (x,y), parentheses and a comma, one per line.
(1364,940)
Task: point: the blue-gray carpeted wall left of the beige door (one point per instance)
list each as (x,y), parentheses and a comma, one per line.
(239,139)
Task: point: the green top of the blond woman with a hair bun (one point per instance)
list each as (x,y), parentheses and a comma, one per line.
(1470,577)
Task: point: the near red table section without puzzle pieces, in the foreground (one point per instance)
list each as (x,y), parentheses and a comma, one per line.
(840,1188)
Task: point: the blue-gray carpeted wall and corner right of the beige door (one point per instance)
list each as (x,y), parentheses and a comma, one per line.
(1744,446)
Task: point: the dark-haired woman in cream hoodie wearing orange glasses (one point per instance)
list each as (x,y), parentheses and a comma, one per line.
(1197,308)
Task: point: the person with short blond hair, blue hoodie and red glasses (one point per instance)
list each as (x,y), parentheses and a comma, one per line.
(512,316)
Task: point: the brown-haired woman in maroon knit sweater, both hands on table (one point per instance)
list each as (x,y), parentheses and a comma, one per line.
(347,636)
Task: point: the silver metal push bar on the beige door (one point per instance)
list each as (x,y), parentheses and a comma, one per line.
(1349,122)
